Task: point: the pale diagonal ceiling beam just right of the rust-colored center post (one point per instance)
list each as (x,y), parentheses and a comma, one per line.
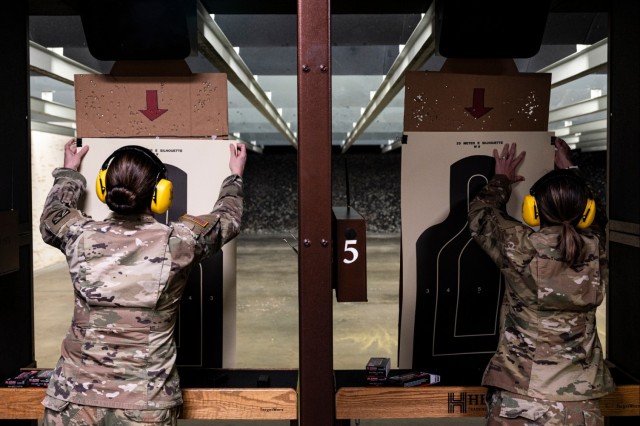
(420,47)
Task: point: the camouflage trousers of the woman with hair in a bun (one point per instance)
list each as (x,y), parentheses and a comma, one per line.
(86,415)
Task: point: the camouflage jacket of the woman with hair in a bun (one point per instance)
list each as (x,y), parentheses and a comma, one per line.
(128,275)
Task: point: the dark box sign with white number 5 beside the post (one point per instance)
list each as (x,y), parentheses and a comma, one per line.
(349,255)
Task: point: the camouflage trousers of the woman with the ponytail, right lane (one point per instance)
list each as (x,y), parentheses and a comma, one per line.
(511,409)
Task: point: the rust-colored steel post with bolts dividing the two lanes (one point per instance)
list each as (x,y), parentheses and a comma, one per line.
(314,215)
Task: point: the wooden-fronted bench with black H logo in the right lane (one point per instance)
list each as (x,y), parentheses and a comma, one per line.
(355,399)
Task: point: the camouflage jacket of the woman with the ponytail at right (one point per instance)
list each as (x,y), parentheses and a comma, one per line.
(549,346)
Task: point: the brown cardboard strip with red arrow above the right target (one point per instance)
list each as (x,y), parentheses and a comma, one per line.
(457,102)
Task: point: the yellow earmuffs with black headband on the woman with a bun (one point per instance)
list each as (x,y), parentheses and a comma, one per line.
(163,191)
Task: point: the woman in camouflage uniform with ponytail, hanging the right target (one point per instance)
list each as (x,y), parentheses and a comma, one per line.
(549,367)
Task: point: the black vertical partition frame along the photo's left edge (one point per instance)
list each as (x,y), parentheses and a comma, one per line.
(16,304)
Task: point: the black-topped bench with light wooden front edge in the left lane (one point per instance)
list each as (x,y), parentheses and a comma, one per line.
(208,394)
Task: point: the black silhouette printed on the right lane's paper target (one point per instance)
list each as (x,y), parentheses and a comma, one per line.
(459,288)
